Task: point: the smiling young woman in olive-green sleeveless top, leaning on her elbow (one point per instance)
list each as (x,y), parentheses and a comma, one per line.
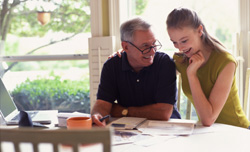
(207,70)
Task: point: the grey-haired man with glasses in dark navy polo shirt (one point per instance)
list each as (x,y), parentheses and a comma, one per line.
(142,81)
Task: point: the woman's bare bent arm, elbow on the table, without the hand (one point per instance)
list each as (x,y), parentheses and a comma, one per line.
(209,109)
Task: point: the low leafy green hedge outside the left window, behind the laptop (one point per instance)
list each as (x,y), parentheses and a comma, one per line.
(52,93)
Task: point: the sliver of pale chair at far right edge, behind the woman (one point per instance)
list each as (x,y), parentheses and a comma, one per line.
(247,95)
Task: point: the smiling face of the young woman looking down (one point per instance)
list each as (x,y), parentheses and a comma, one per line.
(186,39)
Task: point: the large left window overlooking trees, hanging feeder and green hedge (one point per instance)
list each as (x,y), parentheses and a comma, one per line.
(35,52)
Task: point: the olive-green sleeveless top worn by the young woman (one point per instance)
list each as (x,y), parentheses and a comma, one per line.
(232,112)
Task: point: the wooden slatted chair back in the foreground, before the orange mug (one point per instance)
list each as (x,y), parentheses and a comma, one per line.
(71,138)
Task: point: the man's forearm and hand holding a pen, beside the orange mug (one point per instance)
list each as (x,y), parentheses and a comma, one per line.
(100,109)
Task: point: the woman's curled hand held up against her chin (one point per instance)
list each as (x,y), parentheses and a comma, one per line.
(195,63)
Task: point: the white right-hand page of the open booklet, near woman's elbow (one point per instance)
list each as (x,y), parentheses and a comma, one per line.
(171,127)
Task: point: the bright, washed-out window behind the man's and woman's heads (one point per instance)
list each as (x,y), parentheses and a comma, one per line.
(219,26)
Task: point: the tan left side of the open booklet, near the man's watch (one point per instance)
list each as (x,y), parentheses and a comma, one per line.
(127,123)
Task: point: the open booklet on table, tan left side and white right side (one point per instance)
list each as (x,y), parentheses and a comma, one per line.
(155,127)
